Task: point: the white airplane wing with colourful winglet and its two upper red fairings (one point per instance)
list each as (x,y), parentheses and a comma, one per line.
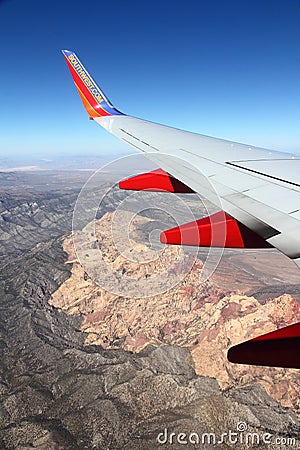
(257,190)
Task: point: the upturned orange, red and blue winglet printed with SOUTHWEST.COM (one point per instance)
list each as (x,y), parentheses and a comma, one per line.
(93,99)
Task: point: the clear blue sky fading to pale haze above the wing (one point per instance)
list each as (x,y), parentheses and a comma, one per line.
(229,69)
